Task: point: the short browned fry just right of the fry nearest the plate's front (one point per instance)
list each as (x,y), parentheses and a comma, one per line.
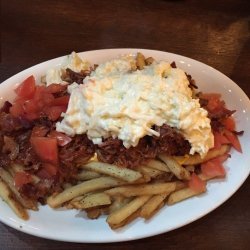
(149,208)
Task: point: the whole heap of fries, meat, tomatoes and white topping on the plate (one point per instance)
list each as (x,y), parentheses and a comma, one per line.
(122,138)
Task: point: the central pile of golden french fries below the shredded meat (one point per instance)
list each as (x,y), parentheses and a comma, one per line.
(125,194)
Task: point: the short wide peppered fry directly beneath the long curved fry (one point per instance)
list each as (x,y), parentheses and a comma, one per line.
(92,200)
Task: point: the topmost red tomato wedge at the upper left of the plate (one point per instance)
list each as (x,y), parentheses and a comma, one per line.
(27,88)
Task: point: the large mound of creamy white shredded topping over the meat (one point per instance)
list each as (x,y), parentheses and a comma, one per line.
(116,102)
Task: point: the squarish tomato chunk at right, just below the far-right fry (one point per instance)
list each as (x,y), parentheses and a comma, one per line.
(213,168)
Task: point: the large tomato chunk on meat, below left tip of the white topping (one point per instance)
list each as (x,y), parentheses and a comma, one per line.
(46,149)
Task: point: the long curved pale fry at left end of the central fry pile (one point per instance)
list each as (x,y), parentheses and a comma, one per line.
(83,188)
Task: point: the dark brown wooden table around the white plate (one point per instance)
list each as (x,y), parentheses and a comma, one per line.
(214,32)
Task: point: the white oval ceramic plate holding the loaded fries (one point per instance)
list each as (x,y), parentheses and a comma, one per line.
(70,226)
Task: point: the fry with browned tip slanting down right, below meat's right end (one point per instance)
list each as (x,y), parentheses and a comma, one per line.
(179,171)
